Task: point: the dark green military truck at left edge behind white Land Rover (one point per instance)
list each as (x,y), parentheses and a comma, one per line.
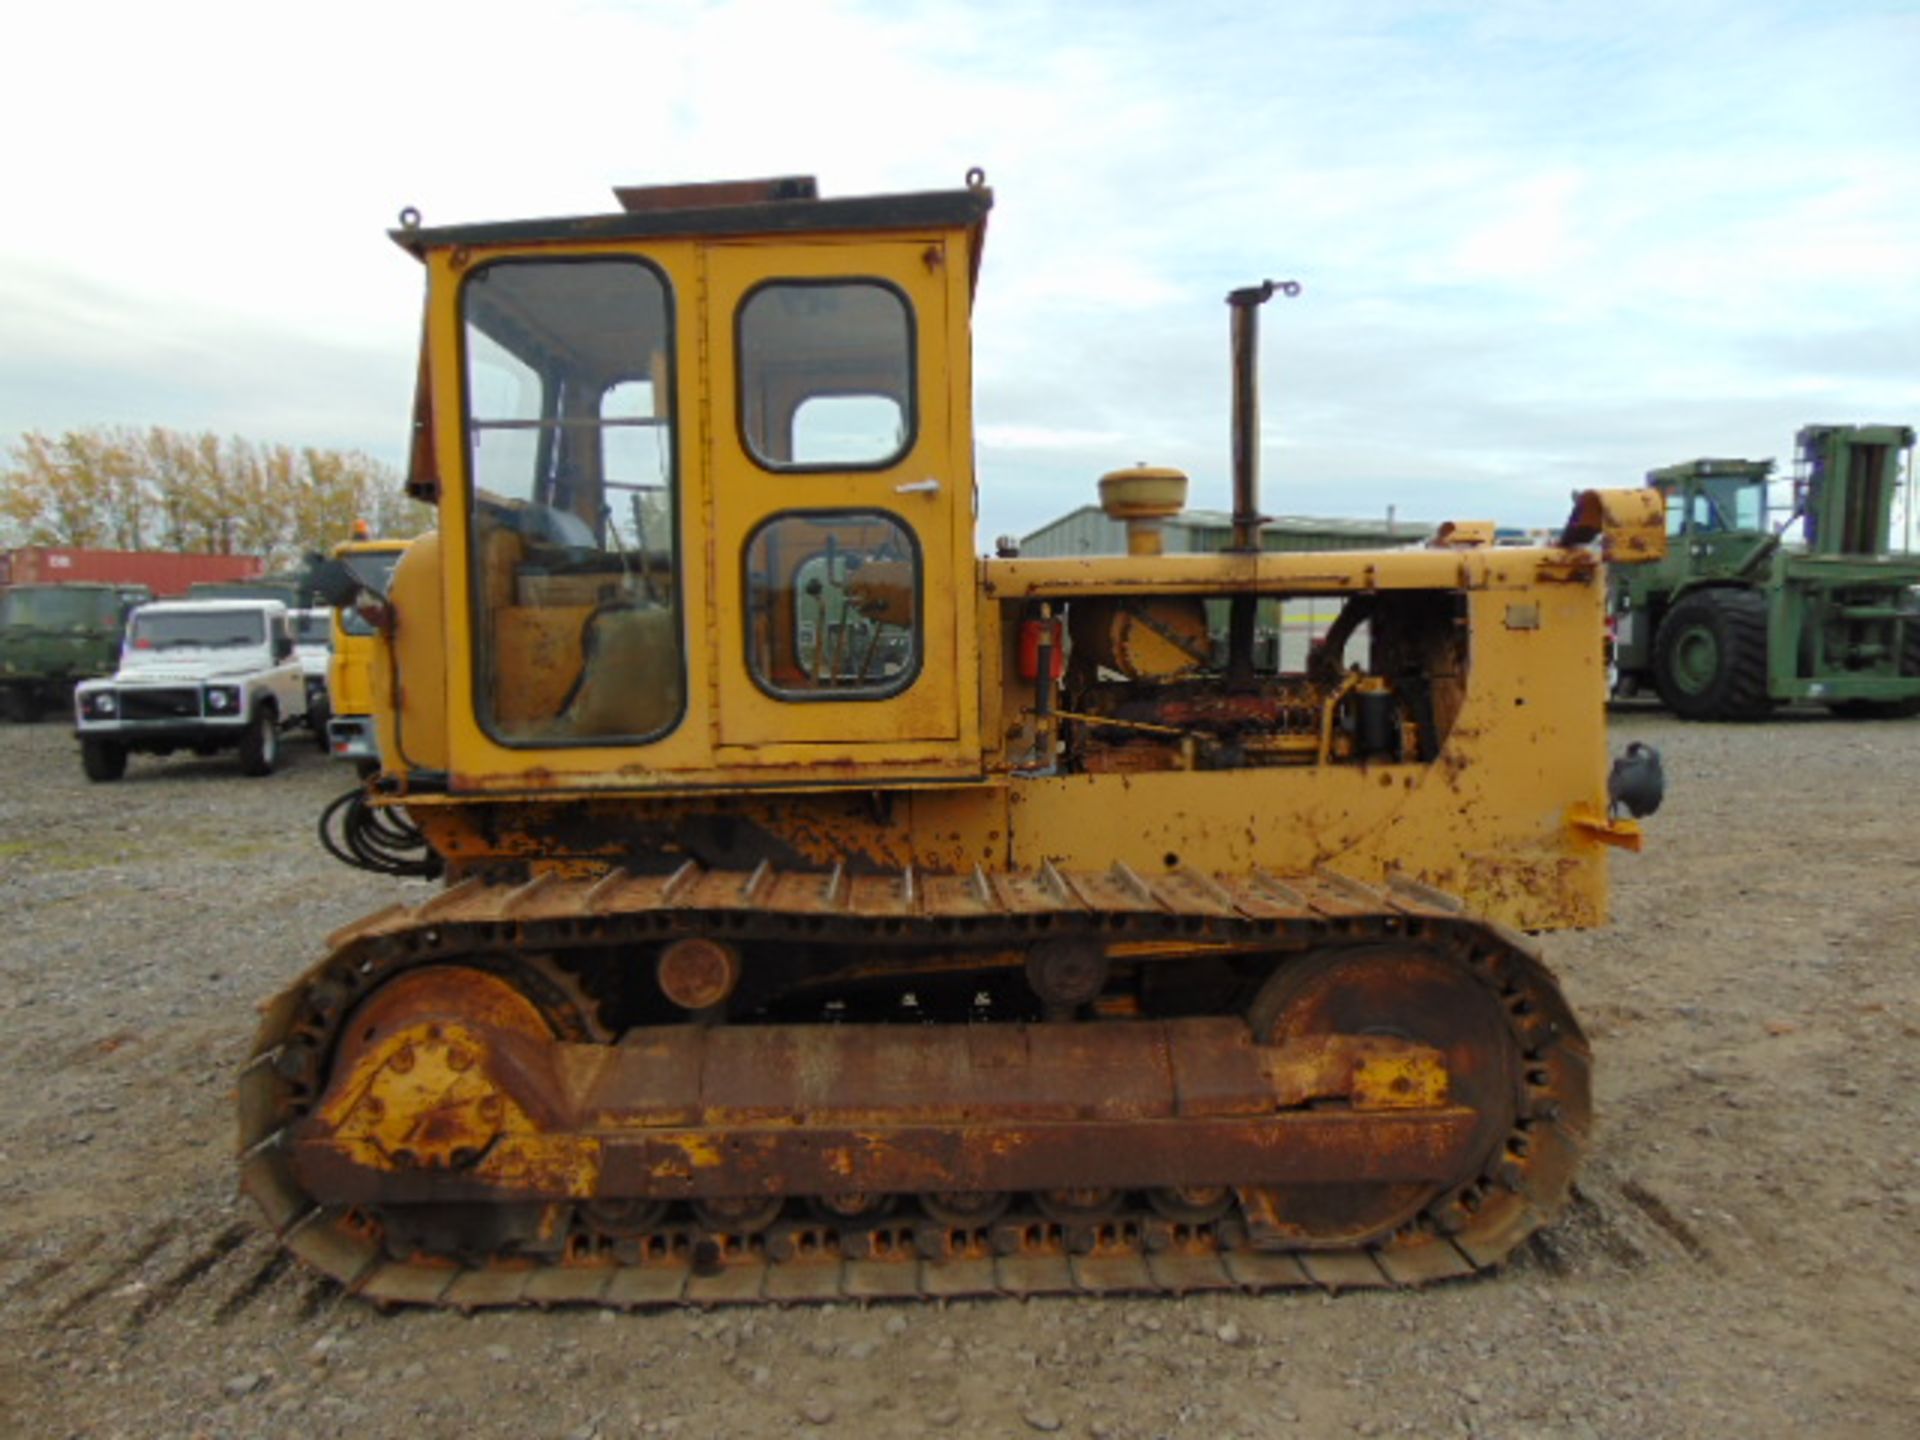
(57,636)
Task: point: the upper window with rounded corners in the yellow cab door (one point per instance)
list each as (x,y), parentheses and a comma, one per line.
(827,375)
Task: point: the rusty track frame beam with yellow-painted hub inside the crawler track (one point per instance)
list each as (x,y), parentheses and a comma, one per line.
(431,1107)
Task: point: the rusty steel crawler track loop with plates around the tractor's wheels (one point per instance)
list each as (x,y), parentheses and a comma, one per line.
(1138,1251)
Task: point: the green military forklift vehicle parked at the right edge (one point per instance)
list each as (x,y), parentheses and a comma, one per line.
(1758,606)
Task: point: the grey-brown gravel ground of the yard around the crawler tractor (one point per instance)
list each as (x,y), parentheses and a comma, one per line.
(1742,1257)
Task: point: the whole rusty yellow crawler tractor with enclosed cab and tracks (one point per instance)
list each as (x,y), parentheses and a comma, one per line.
(834,913)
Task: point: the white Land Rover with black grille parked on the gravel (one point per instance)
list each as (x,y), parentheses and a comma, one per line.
(199,677)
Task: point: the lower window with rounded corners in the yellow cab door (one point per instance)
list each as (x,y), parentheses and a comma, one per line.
(834,606)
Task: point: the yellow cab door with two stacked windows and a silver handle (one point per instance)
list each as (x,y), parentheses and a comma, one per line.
(842,504)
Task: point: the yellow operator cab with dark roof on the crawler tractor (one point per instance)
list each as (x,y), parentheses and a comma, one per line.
(706,483)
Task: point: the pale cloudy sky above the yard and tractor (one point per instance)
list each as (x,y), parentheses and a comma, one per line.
(1545,245)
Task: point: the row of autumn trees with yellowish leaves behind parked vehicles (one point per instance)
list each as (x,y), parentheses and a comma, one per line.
(128,489)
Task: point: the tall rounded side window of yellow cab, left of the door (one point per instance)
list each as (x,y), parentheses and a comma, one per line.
(573,492)
